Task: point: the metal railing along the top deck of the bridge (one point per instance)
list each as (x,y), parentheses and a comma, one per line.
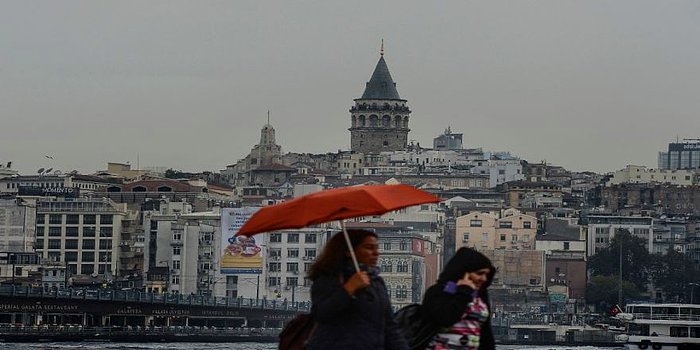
(141,297)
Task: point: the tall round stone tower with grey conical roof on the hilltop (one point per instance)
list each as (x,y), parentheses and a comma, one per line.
(379,119)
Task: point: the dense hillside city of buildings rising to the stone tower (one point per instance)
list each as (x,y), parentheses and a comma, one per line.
(566,244)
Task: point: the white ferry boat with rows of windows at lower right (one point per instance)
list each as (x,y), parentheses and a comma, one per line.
(662,326)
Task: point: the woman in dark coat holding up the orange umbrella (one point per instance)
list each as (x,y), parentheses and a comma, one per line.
(351,309)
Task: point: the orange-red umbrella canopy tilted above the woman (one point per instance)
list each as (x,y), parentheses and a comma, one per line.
(336,204)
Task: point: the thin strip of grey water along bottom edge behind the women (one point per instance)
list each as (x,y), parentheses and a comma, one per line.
(223,346)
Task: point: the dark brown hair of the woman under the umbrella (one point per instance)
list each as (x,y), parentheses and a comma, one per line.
(333,256)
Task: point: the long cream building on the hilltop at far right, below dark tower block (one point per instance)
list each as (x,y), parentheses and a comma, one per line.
(642,174)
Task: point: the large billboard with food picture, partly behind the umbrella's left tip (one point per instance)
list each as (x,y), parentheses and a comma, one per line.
(240,255)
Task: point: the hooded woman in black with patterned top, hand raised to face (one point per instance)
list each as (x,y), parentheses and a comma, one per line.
(458,305)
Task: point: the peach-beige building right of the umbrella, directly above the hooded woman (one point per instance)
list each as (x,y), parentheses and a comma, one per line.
(510,230)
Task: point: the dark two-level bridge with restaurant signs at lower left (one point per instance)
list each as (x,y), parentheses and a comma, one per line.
(29,306)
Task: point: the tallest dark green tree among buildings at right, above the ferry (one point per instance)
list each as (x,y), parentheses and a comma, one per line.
(636,260)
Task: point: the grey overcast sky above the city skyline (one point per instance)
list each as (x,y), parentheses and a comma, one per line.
(589,85)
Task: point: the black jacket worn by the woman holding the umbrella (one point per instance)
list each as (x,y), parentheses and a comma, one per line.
(359,322)
